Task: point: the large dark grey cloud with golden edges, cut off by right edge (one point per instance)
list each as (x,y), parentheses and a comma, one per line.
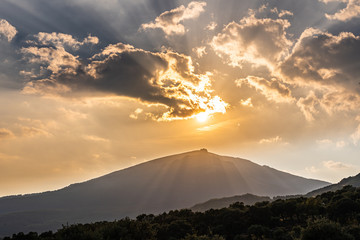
(325,59)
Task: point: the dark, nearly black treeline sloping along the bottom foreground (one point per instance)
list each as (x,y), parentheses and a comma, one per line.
(330,216)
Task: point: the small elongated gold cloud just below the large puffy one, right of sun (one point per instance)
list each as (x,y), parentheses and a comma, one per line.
(272,89)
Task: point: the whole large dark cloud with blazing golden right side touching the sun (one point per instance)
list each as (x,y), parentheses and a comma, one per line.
(167,78)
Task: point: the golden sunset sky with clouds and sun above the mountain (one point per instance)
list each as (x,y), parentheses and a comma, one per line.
(89,87)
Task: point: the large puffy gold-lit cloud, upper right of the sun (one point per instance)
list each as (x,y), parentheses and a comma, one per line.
(258,41)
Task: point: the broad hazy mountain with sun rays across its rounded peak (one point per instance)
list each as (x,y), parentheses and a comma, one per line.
(172,182)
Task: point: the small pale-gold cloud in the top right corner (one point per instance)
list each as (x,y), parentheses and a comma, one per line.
(351,10)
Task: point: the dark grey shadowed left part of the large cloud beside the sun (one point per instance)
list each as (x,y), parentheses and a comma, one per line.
(128,72)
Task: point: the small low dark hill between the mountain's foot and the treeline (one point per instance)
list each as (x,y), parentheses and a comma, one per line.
(218,203)
